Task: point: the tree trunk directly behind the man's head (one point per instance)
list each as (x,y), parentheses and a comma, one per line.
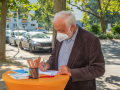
(59,6)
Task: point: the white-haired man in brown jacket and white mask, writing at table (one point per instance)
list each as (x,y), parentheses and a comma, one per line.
(76,53)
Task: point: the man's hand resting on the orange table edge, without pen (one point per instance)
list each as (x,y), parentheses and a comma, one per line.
(64,70)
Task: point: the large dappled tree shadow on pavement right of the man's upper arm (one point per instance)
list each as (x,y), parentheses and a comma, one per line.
(111,52)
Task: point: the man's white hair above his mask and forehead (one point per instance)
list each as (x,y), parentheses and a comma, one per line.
(69,17)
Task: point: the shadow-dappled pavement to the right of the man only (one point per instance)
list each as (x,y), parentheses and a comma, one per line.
(111,78)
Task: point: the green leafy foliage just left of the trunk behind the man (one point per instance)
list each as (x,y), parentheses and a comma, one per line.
(44,12)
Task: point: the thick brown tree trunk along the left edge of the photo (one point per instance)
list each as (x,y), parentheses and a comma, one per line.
(2,30)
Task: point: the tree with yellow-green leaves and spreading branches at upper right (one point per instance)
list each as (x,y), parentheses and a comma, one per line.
(103,7)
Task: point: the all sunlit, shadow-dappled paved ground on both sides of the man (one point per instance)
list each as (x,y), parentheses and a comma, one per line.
(110,49)
